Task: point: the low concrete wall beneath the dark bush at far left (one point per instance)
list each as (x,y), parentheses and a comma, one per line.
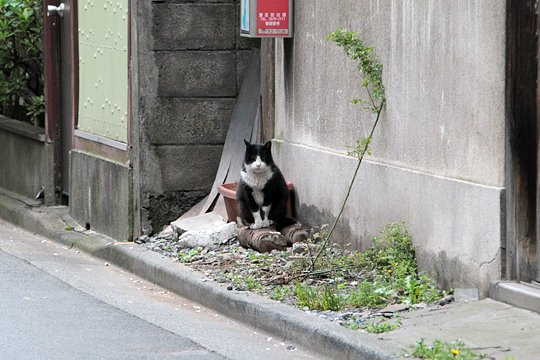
(22,164)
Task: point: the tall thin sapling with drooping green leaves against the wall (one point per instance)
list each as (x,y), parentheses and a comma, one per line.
(370,69)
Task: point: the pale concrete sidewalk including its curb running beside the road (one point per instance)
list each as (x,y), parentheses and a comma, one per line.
(490,327)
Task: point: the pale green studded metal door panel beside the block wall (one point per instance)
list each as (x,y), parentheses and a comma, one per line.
(103,68)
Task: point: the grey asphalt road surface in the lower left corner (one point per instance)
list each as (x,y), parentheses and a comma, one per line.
(58,303)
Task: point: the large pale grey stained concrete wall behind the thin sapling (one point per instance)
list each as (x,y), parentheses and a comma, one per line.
(438,153)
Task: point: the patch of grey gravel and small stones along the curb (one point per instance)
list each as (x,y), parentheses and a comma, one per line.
(246,270)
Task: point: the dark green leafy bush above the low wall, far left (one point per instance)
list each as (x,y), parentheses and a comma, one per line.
(21,60)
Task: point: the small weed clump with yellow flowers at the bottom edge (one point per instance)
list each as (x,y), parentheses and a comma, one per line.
(443,350)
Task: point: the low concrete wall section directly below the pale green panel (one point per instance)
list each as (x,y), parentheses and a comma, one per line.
(101,195)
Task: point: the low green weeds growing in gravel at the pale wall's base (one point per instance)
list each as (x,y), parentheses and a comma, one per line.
(389,274)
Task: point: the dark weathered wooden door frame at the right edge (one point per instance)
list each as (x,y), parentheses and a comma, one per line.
(521,140)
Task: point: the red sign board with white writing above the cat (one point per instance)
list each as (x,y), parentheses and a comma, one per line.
(266,18)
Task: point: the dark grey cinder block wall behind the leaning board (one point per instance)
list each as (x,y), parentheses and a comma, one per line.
(189,62)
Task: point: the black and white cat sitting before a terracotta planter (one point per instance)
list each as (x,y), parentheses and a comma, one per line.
(262,192)
